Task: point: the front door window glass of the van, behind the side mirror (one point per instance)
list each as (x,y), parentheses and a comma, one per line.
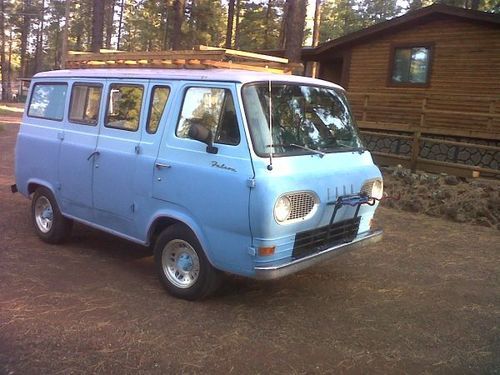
(214,109)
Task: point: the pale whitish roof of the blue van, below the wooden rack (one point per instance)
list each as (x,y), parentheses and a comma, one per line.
(223,75)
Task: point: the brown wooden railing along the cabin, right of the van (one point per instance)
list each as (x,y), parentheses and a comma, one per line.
(416,118)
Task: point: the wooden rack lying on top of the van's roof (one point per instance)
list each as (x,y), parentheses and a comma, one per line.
(202,57)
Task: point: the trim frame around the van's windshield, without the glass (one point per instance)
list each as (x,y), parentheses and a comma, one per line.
(301,152)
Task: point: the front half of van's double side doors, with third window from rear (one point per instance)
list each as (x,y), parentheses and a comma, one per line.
(116,154)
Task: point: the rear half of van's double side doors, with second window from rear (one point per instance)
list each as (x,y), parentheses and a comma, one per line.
(79,141)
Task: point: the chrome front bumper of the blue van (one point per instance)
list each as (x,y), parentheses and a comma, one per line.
(274,272)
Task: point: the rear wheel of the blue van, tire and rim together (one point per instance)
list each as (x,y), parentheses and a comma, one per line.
(50,225)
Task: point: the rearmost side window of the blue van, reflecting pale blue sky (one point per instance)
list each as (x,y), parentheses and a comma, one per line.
(48,100)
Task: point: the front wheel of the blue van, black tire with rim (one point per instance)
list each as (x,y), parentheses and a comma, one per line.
(182,266)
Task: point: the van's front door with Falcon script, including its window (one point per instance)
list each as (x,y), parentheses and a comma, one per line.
(209,186)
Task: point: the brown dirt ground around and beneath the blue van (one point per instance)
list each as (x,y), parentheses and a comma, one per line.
(424,300)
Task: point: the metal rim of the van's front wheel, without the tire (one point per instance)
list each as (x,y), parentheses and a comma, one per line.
(180,263)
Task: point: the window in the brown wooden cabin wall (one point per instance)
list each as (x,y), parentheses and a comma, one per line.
(410,65)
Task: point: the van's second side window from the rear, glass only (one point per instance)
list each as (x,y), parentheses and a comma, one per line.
(85,103)
